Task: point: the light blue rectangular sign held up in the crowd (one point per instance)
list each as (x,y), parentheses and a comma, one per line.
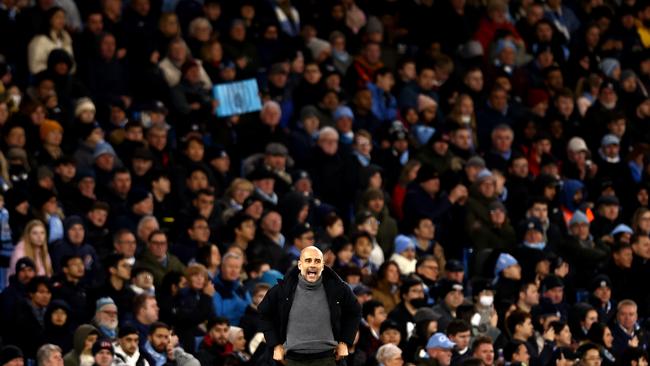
(237,98)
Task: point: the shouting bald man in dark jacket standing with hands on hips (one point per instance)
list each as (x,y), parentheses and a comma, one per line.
(294,312)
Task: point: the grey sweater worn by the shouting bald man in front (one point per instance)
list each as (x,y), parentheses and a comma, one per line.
(309,329)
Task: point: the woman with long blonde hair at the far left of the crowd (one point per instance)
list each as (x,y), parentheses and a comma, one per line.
(34,246)
